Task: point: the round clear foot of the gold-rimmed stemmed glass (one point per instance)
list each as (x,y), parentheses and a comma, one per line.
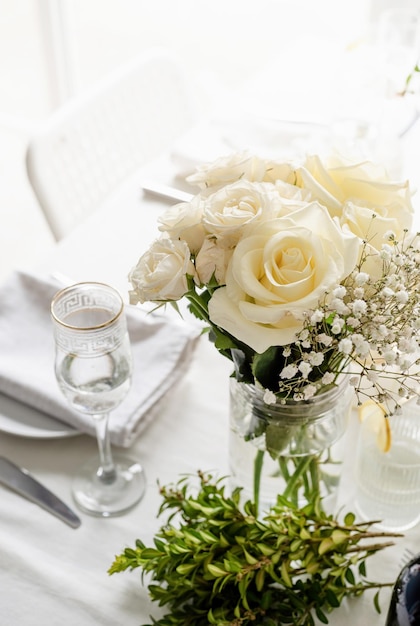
(95,497)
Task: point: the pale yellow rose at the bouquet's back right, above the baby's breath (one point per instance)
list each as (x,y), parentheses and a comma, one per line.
(355,191)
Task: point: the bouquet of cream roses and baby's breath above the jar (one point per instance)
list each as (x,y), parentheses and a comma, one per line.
(301,271)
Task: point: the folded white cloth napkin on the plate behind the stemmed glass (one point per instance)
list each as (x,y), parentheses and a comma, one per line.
(162,349)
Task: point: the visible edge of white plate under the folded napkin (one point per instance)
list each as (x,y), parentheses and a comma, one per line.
(24,421)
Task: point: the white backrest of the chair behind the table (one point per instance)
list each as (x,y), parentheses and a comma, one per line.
(93,143)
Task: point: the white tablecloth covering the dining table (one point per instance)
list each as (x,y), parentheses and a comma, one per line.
(56,575)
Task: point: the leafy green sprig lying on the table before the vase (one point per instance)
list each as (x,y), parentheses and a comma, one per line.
(215,562)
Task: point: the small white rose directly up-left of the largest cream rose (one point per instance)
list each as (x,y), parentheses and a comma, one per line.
(230,211)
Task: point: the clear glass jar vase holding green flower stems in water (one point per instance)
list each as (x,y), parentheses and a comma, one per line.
(293,449)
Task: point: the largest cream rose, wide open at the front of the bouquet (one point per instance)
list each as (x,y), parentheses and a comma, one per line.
(278,273)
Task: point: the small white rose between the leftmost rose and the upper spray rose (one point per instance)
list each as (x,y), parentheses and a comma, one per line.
(183,221)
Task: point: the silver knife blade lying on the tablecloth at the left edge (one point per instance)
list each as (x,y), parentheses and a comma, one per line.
(23,483)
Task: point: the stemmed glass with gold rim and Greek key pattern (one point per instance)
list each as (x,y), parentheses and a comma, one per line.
(93,368)
